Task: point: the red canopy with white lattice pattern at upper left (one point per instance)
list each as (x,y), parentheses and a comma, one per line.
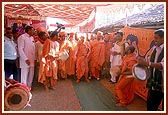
(71,13)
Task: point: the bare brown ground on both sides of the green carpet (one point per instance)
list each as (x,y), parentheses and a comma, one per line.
(64,98)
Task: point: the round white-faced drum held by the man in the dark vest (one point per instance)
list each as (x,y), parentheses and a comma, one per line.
(140,72)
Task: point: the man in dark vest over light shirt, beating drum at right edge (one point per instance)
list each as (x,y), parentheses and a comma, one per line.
(155,82)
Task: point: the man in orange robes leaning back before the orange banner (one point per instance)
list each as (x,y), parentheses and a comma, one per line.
(124,88)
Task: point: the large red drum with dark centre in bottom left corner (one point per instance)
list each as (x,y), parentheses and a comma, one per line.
(17,96)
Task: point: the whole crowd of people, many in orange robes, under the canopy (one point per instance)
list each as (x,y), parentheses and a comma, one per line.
(34,55)
